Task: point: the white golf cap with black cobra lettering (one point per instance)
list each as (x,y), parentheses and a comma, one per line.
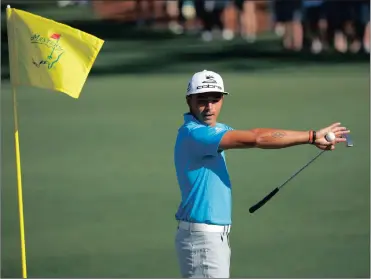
(205,81)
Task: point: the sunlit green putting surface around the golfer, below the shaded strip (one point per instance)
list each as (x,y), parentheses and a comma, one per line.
(100,191)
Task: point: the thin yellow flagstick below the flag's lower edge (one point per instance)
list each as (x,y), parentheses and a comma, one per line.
(19,180)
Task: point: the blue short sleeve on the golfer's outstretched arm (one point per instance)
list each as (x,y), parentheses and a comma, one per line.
(204,141)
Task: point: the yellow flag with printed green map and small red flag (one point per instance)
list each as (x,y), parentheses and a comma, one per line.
(48,54)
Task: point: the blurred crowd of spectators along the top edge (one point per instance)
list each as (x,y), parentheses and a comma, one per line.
(319,25)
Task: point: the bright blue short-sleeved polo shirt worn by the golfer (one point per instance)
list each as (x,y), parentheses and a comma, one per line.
(202,173)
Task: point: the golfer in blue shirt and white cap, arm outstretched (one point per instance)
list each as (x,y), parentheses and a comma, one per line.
(204,213)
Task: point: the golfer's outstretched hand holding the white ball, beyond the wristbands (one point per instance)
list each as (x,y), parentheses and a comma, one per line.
(339,132)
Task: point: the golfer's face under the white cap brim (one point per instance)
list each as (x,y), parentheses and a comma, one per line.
(206,106)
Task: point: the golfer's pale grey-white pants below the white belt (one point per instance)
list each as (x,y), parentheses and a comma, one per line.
(203,254)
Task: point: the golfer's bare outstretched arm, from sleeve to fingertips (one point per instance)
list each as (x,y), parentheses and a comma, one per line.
(267,138)
